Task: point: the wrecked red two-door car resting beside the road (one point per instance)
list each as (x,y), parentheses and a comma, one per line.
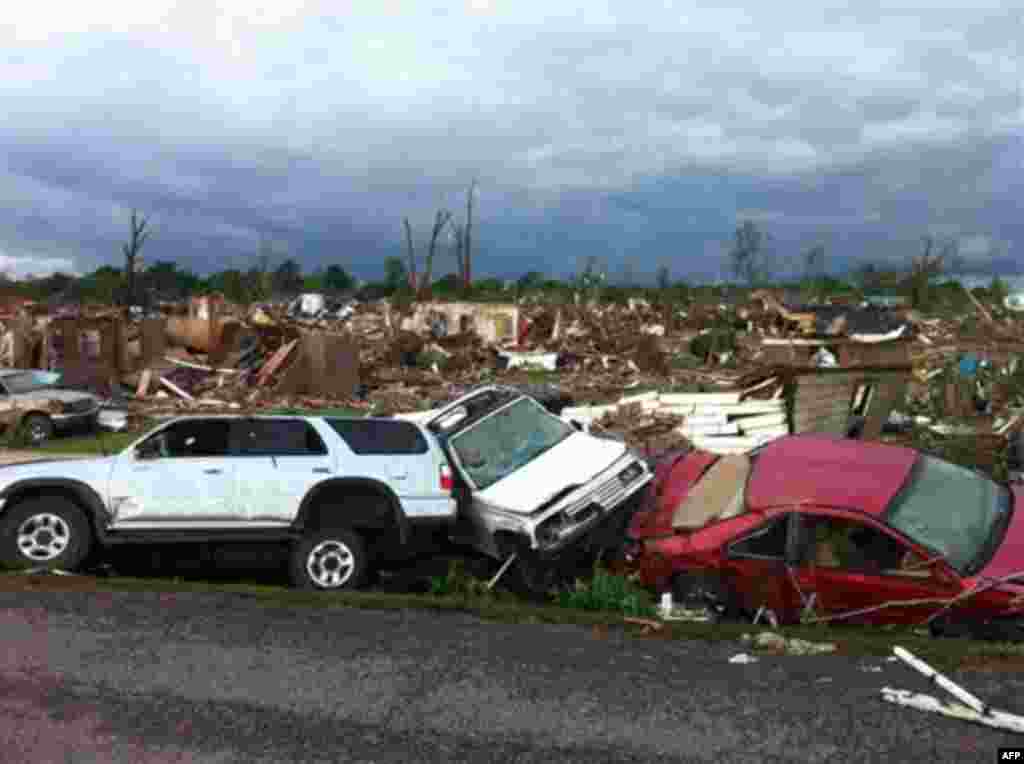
(836,529)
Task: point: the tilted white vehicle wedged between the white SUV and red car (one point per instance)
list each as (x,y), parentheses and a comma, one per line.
(532,485)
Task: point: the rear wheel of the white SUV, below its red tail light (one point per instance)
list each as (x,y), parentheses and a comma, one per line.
(332,560)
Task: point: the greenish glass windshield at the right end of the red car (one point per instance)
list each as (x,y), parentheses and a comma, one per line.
(951,510)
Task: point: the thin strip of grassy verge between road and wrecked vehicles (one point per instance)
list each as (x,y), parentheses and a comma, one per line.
(857,642)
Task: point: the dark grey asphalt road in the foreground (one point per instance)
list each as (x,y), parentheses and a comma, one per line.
(97,677)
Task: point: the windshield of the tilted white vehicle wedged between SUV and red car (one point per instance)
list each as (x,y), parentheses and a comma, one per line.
(501,444)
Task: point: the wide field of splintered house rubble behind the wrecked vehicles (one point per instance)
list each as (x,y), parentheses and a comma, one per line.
(727,375)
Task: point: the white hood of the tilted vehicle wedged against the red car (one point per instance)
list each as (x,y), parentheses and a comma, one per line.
(575,461)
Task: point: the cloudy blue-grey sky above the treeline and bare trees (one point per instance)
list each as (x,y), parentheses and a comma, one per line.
(636,133)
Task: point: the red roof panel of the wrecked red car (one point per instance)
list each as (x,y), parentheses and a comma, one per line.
(829,472)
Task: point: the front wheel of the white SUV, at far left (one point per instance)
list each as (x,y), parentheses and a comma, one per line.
(49,532)
